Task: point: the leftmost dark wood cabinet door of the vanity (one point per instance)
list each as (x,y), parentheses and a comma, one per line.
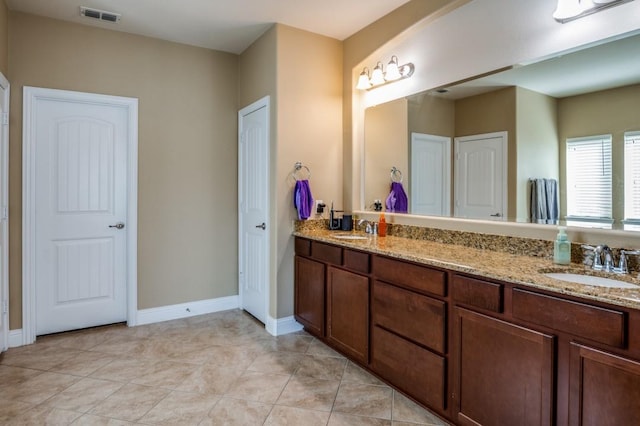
(309,295)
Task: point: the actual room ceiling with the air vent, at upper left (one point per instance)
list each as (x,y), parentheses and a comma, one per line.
(226,25)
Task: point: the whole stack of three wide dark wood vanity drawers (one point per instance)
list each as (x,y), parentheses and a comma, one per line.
(408,330)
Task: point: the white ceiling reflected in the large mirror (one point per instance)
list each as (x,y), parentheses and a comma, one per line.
(605,66)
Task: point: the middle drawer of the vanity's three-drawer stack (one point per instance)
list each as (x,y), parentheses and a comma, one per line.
(412,315)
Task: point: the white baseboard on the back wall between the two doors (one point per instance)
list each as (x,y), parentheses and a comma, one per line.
(185,310)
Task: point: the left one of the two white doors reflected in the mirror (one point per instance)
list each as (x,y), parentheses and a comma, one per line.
(430,190)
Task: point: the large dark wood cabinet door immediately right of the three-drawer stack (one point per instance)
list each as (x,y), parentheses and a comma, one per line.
(504,372)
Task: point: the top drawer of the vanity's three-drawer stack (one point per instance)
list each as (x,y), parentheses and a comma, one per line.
(416,277)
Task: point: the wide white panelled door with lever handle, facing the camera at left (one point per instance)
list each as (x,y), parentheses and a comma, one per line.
(80,209)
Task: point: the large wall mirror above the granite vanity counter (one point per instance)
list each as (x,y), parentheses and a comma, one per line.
(477,149)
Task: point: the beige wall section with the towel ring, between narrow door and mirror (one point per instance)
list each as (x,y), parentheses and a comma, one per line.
(309,127)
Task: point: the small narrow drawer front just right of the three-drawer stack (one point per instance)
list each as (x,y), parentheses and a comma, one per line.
(478,293)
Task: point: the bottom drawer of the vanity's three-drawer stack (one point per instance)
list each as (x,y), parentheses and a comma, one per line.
(411,368)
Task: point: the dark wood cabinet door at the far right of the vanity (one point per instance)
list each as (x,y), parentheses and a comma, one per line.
(605,388)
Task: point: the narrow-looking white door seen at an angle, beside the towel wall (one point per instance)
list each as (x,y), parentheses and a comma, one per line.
(253,207)
